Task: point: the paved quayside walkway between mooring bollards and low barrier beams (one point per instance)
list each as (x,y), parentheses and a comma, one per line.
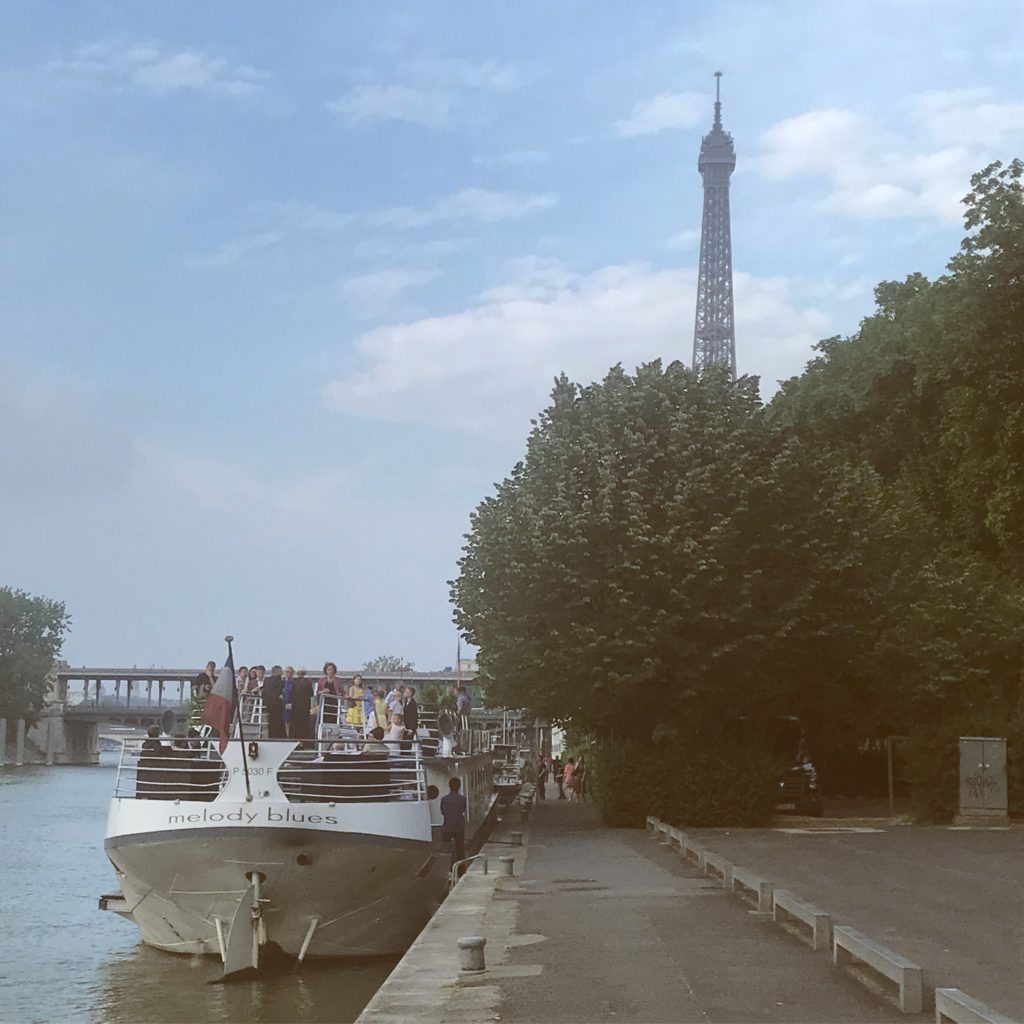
(616,928)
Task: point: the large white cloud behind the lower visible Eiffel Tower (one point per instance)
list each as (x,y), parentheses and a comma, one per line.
(489,368)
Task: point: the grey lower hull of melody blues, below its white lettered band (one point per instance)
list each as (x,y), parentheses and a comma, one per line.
(372,894)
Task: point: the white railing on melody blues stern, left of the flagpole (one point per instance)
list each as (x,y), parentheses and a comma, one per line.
(183,770)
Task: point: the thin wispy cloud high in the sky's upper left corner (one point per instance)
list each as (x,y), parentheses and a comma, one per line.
(120,62)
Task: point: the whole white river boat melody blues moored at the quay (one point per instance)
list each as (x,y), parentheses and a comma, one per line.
(328,847)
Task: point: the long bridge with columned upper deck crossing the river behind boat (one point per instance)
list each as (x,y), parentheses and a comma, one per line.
(83,703)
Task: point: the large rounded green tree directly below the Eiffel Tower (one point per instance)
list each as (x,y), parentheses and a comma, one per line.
(662,563)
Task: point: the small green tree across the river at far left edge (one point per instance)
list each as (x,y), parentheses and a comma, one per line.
(32,633)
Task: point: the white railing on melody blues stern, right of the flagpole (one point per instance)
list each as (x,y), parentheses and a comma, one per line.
(355,771)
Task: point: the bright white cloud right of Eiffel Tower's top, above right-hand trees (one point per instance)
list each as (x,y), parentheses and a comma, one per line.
(917,161)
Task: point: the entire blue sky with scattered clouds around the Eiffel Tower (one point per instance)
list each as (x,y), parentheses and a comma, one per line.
(281,286)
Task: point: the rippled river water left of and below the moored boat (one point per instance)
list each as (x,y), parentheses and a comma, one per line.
(64,960)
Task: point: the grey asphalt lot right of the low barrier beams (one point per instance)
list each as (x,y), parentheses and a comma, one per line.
(951,901)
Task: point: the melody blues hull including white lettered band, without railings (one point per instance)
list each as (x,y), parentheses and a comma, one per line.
(339,879)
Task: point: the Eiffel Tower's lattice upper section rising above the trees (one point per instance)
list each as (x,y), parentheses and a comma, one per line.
(714,332)
